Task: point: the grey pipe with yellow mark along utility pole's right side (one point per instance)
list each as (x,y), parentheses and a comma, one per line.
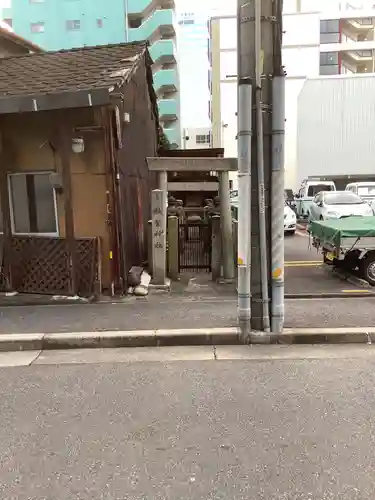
(277,204)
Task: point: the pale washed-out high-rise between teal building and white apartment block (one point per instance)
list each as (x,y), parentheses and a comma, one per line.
(193,41)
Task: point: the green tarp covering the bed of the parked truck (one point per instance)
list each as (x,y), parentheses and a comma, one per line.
(332,231)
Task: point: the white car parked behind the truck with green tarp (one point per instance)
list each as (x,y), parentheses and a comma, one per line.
(338,204)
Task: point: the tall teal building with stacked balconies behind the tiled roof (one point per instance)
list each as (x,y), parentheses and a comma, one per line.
(63,24)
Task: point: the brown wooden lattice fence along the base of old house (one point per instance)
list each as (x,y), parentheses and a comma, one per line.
(40,264)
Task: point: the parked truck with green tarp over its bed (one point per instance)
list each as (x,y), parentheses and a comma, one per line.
(348,242)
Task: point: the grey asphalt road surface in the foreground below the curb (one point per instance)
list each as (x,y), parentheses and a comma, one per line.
(233,429)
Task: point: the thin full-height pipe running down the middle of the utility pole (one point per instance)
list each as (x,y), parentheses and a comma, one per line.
(260,169)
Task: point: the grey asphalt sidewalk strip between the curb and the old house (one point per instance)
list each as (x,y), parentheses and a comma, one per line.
(176,313)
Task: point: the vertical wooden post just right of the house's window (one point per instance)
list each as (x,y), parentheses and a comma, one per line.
(65,150)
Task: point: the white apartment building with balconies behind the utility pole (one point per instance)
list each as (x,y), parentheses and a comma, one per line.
(335,41)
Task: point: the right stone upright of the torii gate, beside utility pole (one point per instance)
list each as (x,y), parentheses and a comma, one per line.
(226,227)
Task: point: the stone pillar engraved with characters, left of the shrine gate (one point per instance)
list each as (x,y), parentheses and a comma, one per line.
(159,243)
